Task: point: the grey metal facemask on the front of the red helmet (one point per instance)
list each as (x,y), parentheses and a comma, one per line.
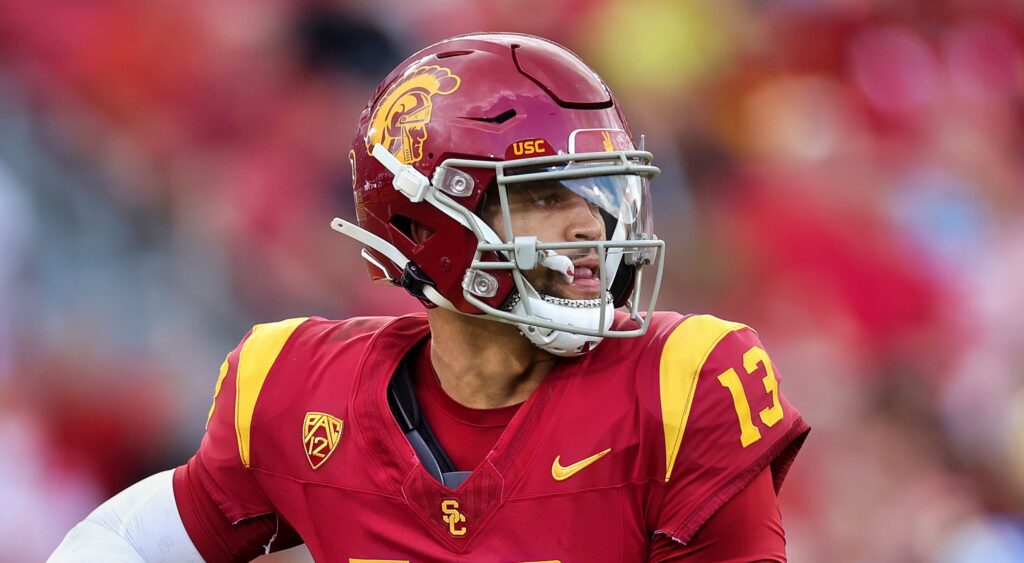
(564,300)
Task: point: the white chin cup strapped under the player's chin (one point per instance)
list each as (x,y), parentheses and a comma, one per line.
(576,314)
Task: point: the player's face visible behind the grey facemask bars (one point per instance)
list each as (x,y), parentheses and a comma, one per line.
(554,214)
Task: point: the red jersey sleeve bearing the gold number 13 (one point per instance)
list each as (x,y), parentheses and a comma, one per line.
(726,421)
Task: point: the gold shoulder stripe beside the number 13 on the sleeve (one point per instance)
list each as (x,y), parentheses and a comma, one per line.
(682,359)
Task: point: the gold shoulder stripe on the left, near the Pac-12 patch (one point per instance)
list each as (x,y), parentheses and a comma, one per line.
(258,357)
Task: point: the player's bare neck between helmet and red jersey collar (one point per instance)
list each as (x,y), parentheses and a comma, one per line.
(483,364)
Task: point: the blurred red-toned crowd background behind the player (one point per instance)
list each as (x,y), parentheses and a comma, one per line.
(845,176)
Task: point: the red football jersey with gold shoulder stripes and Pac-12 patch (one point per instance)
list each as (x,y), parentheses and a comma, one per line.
(644,436)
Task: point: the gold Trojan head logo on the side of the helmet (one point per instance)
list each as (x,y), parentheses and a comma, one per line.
(400,121)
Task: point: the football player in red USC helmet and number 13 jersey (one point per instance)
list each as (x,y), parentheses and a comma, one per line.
(538,411)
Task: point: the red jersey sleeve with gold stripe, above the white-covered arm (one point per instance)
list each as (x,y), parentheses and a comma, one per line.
(222,465)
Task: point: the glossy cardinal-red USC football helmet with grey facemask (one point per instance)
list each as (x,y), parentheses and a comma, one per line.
(477,118)
